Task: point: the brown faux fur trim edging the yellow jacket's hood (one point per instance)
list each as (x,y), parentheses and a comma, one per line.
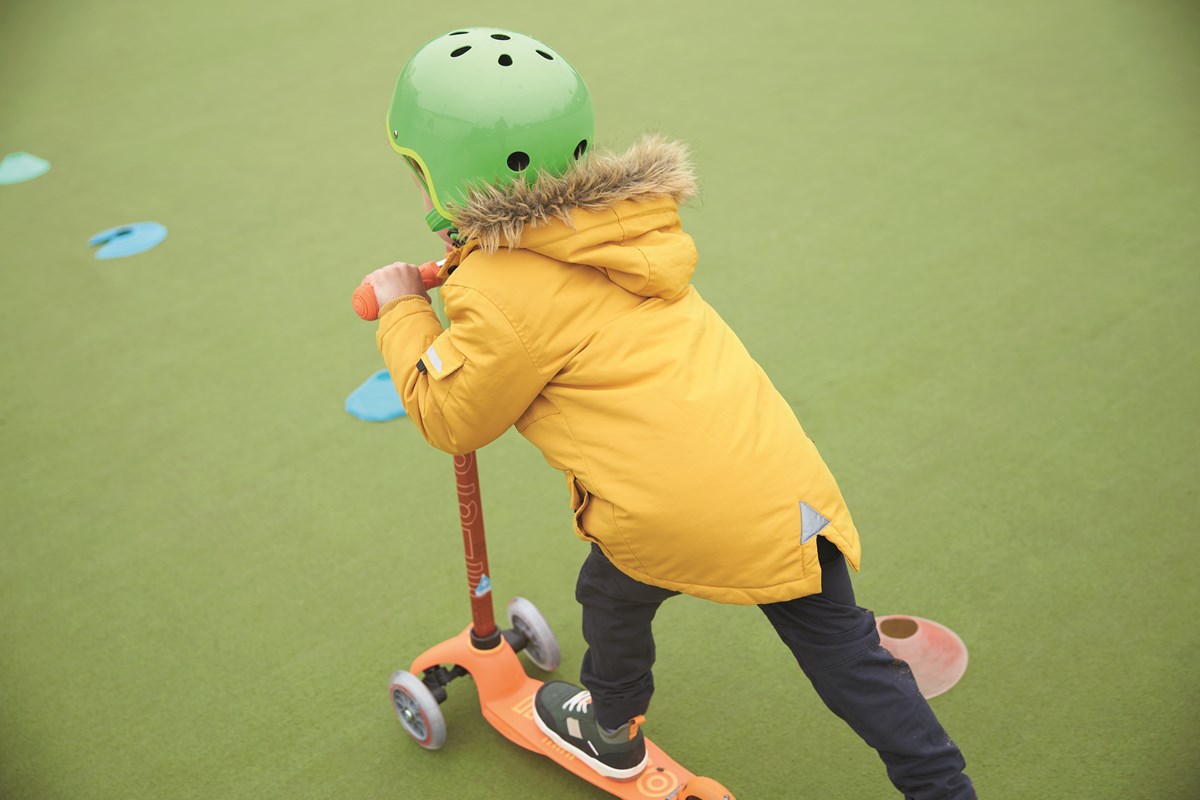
(655,167)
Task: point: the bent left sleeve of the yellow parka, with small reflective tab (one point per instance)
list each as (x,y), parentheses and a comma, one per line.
(463,387)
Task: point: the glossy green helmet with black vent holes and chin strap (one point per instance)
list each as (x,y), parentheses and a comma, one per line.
(484,106)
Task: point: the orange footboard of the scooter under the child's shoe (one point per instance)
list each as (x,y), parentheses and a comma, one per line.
(506,696)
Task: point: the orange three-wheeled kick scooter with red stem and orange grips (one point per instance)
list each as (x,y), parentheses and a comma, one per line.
(489,655)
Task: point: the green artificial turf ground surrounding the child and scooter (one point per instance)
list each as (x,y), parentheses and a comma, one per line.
(963,239)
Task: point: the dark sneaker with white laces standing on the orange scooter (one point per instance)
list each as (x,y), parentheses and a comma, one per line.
(565,714)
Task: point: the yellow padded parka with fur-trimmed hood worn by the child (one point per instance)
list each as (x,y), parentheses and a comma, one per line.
(573,318)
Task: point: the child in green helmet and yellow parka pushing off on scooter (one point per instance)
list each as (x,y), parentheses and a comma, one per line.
(573,317)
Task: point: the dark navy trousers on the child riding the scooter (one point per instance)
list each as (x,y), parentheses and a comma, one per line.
(835,642)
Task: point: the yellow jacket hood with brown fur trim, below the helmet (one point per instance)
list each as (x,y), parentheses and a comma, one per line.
(617,213)
